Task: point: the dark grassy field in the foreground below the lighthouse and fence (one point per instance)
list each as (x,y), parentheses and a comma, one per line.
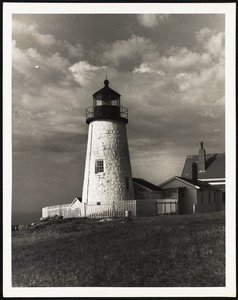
(163,251)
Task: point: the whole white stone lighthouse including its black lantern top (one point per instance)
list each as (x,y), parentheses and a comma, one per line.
(107,175)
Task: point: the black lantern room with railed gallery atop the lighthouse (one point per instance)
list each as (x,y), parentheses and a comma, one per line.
(106,105)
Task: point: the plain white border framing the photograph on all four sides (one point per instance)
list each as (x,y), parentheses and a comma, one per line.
(230,95)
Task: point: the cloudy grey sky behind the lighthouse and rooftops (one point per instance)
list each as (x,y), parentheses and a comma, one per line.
(168,68)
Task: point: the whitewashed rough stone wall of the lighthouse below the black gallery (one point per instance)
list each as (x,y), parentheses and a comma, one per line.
(107,140)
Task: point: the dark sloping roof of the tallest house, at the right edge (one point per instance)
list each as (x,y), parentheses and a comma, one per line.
(215,166)
